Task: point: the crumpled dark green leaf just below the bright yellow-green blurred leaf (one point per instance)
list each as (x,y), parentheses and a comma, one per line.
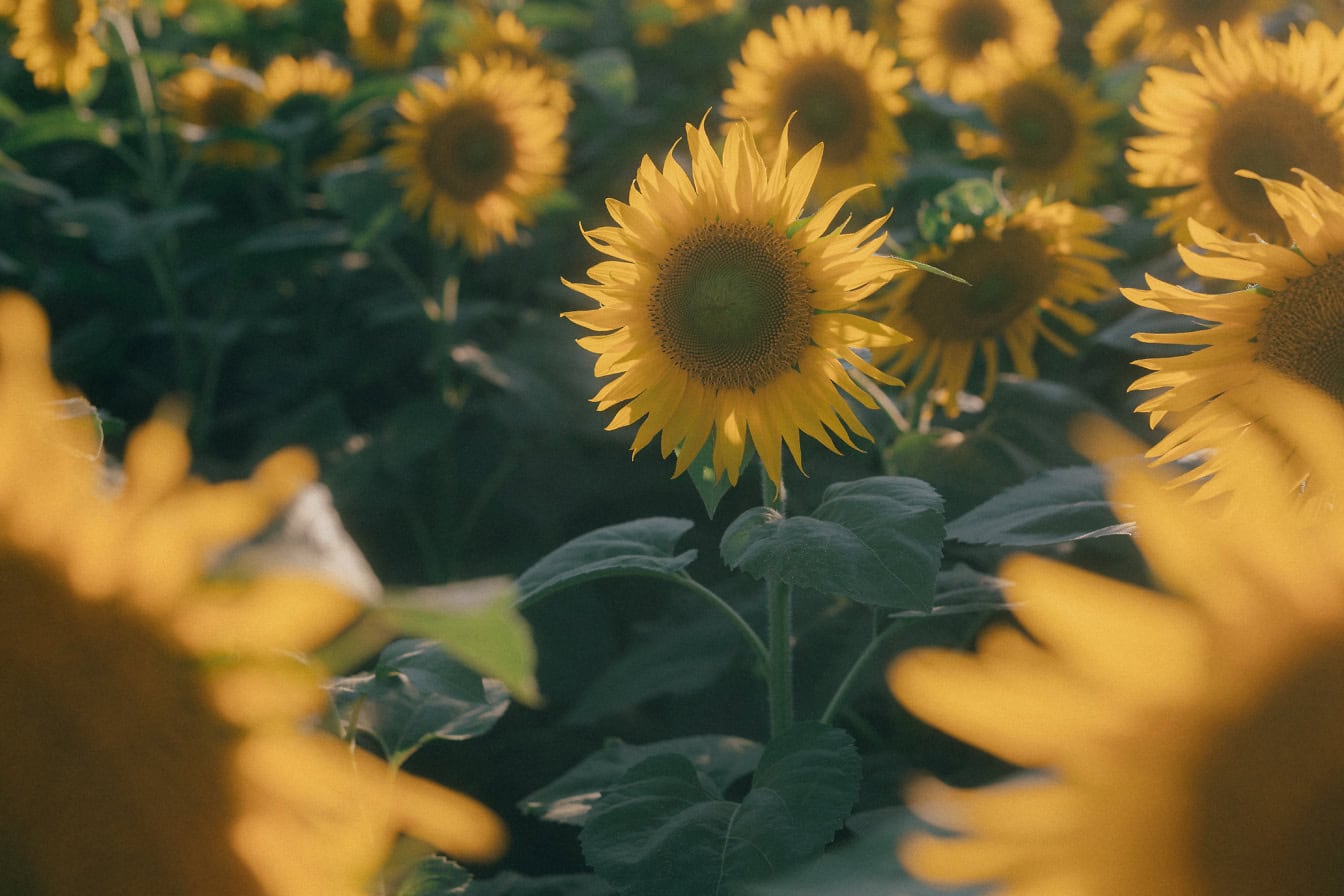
(417,694)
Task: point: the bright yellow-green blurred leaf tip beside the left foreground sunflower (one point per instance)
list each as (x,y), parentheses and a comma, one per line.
(479,624)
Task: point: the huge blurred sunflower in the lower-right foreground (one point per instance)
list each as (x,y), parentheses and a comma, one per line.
(1189,737)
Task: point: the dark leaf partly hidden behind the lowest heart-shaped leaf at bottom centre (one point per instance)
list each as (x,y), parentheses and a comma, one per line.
(569,799)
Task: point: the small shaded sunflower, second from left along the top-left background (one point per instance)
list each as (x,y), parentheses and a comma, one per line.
(216,97)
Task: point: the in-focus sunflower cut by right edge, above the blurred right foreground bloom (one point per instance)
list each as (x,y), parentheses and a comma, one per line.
(1288,320)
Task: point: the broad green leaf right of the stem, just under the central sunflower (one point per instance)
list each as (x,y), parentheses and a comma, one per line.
(876,541)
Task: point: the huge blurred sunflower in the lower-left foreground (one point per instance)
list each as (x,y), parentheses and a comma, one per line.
(157,742)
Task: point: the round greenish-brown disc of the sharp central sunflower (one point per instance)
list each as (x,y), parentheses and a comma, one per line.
(732,306)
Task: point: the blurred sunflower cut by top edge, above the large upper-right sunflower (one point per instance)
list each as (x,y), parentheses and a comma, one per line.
(1169,30)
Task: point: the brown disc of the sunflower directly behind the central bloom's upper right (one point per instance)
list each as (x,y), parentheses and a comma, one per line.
(834,108)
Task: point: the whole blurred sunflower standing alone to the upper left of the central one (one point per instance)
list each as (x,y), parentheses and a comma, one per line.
(479,151)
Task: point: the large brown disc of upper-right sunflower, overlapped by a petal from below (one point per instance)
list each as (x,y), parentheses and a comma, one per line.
(1269,134)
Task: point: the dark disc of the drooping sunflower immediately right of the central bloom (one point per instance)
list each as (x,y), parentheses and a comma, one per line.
(1007,277)
